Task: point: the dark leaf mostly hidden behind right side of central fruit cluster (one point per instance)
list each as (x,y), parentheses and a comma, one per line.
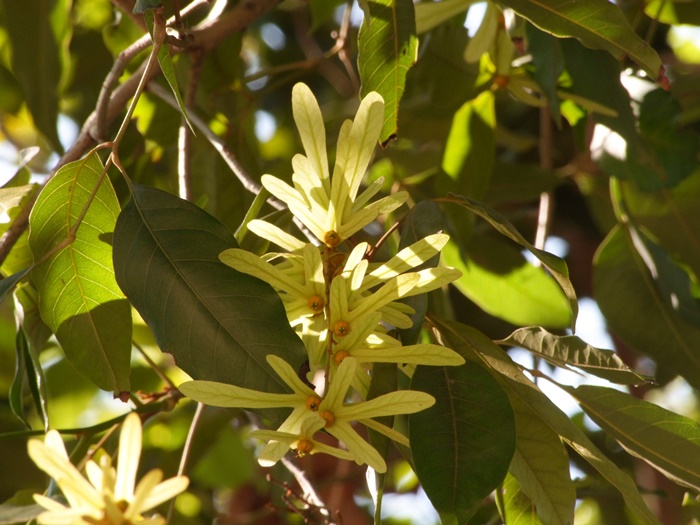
(424,219)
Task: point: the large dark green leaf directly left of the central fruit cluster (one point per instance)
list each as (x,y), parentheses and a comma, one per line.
(219,324)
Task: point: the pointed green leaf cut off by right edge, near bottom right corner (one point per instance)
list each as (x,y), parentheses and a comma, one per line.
(667,441)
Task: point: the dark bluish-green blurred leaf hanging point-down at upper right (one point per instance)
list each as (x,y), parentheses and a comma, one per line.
(548,59)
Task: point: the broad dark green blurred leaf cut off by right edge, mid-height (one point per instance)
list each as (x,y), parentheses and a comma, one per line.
(626,294)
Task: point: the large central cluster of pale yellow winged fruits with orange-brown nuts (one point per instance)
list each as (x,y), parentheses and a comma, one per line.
(342,305)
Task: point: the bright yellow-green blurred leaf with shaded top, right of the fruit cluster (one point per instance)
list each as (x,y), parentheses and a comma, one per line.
(499,279)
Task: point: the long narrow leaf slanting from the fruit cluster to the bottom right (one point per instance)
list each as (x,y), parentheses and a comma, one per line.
(474,345)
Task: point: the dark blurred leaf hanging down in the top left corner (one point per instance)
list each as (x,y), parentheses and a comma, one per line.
(35,61)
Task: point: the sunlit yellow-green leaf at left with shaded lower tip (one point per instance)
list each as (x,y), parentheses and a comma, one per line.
(79,297)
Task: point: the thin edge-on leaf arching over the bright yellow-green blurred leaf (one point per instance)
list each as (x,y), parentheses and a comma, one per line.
(555,265)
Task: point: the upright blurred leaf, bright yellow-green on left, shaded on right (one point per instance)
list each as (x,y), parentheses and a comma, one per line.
(470,148)
